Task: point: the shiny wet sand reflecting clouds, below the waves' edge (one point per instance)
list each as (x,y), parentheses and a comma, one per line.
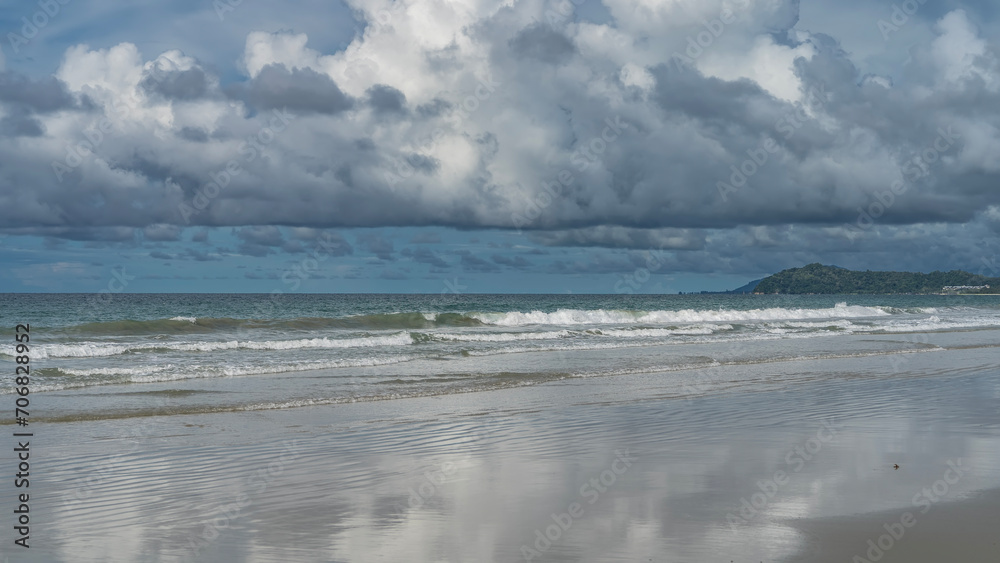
(627,468)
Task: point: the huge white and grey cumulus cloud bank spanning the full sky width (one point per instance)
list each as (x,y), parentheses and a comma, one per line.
(629,142)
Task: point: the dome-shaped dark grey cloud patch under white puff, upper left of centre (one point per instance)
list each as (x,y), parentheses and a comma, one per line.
(298,90)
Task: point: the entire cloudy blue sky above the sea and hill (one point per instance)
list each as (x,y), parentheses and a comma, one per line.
(581,146)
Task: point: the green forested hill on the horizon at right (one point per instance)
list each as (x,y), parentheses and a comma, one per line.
(817,278)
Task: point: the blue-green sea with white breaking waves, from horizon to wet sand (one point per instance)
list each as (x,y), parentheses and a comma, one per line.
(124,355)
